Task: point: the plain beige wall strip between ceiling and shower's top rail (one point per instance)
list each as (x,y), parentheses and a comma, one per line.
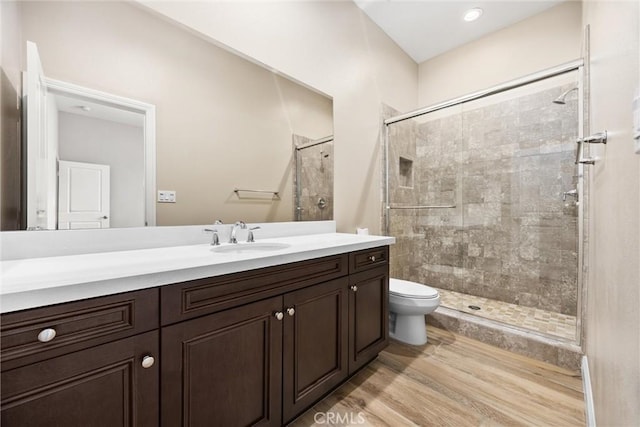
(542,41)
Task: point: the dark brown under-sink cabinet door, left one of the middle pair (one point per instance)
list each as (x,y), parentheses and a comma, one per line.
(224,369)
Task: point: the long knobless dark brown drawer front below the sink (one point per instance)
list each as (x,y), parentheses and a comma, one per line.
(204,296)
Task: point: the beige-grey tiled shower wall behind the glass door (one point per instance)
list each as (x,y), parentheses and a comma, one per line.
(504,166)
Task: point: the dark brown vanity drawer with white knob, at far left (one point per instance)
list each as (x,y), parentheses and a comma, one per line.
(77,325)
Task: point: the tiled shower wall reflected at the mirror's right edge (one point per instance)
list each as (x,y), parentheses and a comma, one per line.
(316,181)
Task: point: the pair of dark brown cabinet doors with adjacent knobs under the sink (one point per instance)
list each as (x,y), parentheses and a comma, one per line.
(258,364)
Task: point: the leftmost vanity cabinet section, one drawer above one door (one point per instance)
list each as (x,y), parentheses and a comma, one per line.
(81,363)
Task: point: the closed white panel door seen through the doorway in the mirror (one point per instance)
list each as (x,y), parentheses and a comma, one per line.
(83,190)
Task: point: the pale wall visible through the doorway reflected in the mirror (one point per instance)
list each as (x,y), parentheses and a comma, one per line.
(90,140)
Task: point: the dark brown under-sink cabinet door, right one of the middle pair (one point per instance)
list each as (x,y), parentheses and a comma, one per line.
(315,344)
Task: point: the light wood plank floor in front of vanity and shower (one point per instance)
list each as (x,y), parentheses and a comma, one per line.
(453,381)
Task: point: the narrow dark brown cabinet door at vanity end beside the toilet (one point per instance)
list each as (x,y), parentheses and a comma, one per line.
(369,316)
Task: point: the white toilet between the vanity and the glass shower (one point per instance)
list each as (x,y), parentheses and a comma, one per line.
(408,304)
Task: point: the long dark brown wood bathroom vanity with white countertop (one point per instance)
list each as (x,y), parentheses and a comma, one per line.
(258,344)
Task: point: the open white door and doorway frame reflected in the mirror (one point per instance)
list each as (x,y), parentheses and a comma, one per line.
(69,123)
